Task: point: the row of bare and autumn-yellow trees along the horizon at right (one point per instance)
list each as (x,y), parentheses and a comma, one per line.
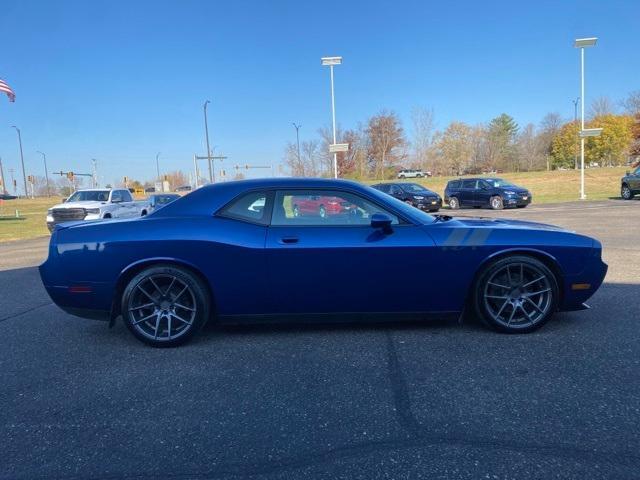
(380,146)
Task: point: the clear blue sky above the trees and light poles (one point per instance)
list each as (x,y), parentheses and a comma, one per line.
(120,81)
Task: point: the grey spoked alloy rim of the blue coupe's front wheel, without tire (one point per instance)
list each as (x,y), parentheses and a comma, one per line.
(518,295)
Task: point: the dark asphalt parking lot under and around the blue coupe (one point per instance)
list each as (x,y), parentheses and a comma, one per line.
(436,400)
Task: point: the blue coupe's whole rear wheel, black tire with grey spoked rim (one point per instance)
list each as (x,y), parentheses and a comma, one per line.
(163,312)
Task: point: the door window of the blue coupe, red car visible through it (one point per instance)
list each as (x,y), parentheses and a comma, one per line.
(323,208)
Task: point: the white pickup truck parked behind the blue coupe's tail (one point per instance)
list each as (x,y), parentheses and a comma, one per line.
(95,204)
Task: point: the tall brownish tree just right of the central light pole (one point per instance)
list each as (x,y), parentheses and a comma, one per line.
(386,142)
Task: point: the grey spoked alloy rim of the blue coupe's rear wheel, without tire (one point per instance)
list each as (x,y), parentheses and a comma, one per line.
(162,307)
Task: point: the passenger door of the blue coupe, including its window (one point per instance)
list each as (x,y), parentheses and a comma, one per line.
(340,264)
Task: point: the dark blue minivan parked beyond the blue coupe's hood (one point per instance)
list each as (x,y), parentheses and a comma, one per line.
(494,193)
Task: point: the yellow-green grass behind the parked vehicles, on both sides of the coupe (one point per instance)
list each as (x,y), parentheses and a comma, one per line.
(546,187)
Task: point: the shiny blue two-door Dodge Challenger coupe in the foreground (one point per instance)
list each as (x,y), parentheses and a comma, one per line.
(313,250)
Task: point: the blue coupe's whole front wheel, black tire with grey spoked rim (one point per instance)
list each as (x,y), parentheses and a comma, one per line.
(491,282)
